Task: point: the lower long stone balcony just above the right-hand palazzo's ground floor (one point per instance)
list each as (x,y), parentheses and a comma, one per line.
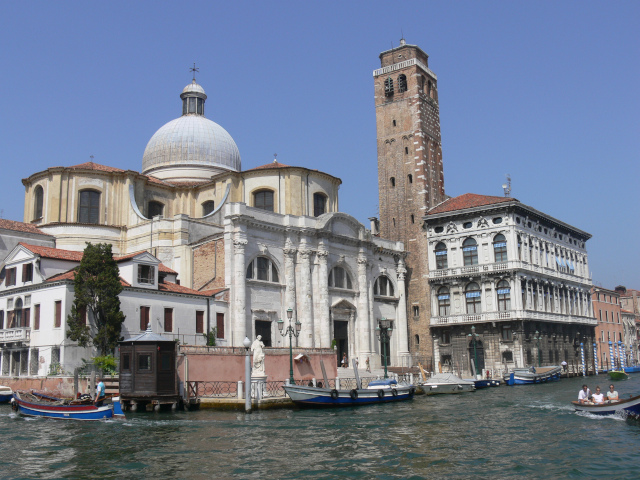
(512,315)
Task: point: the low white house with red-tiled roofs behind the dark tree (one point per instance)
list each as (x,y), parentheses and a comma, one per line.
(37,294)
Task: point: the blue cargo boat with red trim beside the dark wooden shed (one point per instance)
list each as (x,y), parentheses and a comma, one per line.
(35,404)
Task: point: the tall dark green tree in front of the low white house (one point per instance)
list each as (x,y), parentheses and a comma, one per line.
(97,286)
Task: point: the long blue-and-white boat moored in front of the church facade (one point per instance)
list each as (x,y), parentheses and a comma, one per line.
(378,391)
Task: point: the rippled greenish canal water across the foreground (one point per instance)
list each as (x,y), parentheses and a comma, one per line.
(505,432)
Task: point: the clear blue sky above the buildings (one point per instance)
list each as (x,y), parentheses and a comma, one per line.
(546,91)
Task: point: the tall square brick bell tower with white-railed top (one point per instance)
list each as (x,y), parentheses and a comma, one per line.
(410,175)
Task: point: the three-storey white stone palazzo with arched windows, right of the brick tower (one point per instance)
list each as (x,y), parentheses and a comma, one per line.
(519,277)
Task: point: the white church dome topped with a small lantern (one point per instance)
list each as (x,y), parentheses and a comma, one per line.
(190,147)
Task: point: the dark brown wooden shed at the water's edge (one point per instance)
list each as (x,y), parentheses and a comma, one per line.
(148,371)
